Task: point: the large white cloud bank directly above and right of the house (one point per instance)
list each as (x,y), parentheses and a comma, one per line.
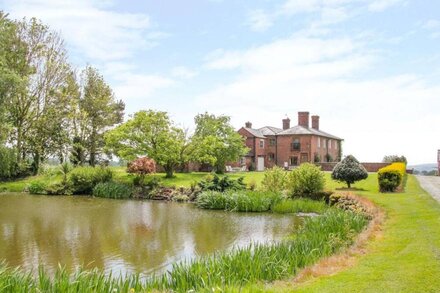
(376,116)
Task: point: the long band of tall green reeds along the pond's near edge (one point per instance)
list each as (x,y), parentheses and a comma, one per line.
(318,237)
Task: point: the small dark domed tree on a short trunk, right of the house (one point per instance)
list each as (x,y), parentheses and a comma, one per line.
(349,170)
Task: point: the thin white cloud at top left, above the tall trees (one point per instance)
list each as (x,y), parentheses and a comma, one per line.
(91,29)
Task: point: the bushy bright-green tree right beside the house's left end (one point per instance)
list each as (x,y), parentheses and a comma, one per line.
(216,142)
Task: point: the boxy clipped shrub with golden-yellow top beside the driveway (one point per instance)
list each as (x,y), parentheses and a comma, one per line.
(391,177)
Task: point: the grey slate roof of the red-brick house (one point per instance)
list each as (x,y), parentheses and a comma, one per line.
(296,130)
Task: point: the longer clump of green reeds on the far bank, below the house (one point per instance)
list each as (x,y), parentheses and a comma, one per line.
(239,201)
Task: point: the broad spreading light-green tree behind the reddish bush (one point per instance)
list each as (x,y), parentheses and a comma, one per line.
(152,134)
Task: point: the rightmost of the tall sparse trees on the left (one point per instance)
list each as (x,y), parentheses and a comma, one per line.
(98,111)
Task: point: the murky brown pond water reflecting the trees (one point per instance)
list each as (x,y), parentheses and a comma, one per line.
(123,236)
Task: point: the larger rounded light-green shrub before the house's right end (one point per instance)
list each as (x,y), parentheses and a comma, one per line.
(305,181)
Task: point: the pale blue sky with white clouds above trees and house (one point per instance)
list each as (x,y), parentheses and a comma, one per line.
(369,68)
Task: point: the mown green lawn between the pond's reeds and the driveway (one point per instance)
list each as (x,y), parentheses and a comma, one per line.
(406,258)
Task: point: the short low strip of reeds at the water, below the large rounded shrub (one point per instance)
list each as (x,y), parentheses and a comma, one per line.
(299,205)
